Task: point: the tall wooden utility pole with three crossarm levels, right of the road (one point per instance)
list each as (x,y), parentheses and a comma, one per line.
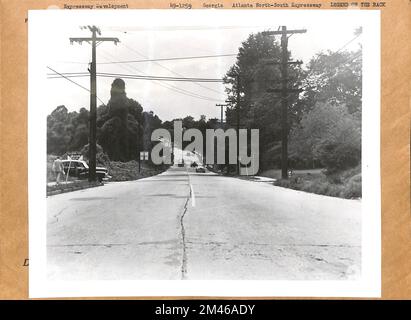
(285,91)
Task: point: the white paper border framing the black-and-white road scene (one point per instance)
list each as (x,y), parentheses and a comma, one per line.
(369,284)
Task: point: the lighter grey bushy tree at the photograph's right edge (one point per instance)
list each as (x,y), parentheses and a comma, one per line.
(329,131)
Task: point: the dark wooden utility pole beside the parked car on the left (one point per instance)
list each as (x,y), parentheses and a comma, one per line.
(94,40)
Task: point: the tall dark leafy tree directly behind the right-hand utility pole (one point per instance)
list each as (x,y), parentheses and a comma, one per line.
(249,79)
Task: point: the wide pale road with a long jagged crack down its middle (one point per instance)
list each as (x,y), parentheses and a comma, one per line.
(184,225)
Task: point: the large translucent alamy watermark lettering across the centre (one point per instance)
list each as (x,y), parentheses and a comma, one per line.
(215,146)
